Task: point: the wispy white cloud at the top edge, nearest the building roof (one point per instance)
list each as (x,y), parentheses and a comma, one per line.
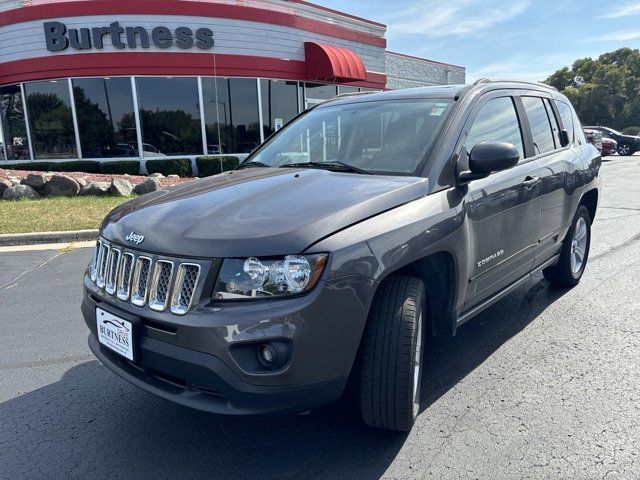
(454,17)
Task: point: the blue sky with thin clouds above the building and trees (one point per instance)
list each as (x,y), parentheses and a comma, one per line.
(520,39)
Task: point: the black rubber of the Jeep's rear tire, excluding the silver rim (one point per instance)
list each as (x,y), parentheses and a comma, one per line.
(563,274)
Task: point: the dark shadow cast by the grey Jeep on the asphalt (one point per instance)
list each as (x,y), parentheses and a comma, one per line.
(90,424)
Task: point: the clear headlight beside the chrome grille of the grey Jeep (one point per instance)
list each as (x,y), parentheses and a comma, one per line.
(242,278)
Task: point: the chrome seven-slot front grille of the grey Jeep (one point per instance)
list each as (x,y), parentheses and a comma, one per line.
(145,280)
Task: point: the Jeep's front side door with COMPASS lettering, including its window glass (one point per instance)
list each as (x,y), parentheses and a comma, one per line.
(503,209)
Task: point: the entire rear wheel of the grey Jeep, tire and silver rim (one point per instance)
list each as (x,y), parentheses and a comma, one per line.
(574,254)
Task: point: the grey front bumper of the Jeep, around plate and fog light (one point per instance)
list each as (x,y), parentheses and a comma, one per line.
(189,359)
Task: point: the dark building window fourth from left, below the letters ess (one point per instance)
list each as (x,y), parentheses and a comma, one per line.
(169,116)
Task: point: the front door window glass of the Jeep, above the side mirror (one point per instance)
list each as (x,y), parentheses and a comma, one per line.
(497,120)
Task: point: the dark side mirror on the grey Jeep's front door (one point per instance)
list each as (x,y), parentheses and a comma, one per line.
(488,157)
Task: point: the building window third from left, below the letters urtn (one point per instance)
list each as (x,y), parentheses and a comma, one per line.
(106,119)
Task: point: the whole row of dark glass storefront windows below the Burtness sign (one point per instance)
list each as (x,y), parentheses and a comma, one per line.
(169,117)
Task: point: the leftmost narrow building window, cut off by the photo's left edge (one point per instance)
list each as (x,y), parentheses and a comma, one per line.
(14,129)
